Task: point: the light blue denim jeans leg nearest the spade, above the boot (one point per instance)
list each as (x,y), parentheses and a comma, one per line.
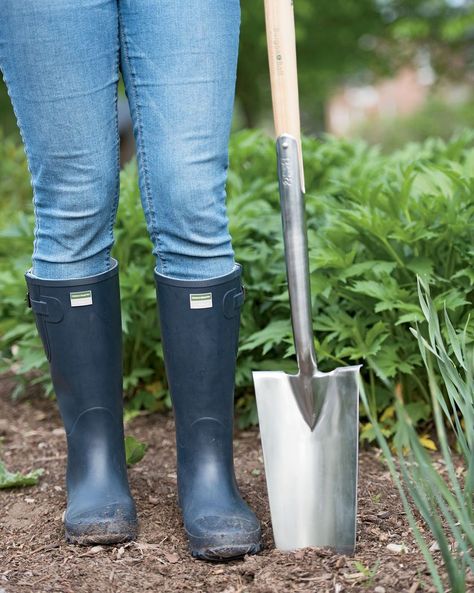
(179,64)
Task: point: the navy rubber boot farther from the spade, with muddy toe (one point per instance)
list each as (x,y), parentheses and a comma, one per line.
(79,322)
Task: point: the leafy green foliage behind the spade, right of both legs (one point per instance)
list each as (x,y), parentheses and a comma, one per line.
(374,222)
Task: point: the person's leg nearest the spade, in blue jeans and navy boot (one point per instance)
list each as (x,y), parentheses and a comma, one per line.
(179,65)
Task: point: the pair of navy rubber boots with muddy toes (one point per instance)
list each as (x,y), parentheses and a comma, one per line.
(79,322)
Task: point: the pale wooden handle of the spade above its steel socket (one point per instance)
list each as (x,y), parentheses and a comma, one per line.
(281,43)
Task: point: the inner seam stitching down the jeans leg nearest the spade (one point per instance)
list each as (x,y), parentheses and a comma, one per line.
(141,147)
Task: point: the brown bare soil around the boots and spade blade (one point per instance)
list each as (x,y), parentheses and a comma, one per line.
(35,557)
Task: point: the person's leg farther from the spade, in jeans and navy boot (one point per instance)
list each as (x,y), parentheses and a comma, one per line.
(60,62)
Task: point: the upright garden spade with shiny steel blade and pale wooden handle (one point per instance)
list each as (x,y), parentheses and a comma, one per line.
(309,420)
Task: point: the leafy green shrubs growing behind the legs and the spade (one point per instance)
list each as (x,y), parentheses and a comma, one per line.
(374,223)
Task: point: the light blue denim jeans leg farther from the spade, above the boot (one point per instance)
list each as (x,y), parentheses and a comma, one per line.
(59,59)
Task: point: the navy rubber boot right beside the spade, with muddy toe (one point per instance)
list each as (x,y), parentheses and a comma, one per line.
(200,322)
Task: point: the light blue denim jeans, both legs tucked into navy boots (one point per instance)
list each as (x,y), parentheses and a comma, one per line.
(60,60)
